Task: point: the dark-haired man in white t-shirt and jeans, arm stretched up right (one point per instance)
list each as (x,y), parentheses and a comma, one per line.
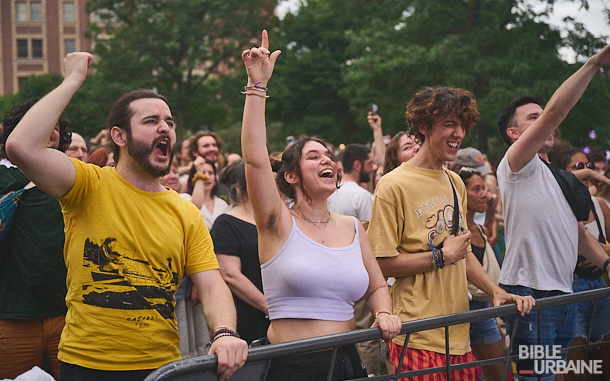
(542,234)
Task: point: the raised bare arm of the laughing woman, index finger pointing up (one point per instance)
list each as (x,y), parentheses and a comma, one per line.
(262,191)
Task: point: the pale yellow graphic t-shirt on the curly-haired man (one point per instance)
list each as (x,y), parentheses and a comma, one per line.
(412,207)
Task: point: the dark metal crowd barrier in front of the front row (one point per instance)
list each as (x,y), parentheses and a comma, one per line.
(203,368)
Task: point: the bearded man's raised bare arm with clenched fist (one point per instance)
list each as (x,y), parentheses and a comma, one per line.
(51,170)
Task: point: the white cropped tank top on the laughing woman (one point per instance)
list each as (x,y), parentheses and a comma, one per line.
(307,280)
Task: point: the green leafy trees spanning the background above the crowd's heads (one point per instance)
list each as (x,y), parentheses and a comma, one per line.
(337,58)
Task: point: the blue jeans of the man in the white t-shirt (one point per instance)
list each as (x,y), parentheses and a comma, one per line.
(557,327)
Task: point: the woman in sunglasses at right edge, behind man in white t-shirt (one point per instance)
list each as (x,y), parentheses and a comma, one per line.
(587,276)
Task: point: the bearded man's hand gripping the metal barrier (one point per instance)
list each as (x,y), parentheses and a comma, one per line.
(232,354)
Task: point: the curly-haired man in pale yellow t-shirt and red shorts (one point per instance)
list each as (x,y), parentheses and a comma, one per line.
(420,237)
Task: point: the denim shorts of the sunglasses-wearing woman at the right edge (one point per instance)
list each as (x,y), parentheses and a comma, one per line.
(601,319)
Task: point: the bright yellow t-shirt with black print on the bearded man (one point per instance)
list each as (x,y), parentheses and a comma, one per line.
(126,251)
